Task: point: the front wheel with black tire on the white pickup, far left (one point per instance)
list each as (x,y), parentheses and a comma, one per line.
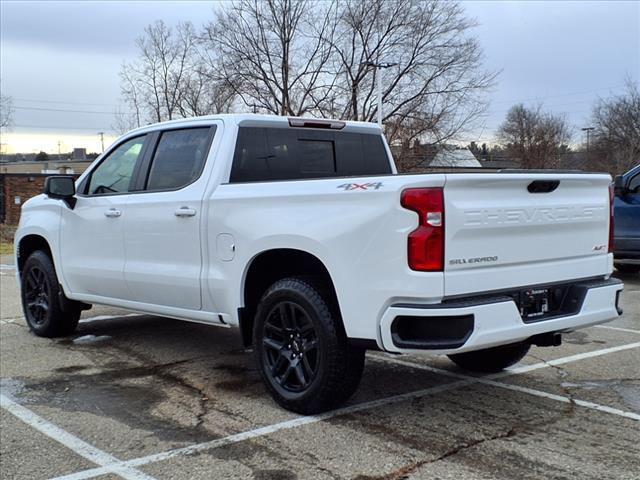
(41,299)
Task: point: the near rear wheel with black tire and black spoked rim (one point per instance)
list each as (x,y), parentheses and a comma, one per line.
(302,351)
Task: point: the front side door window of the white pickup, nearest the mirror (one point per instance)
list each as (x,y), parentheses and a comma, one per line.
(114,173)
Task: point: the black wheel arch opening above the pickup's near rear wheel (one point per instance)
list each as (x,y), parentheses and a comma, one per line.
(270,266)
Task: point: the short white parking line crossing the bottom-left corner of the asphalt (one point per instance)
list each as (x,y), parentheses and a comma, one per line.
(70,441)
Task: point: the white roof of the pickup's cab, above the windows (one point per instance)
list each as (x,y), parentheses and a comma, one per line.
(259,120)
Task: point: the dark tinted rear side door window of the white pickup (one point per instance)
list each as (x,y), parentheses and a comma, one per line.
(179,158)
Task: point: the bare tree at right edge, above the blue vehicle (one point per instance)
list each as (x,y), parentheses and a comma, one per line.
(616,145)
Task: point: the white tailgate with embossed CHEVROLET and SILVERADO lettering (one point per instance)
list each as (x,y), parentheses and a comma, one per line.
(508,230)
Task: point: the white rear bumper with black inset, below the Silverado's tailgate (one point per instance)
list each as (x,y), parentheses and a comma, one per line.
(484,322)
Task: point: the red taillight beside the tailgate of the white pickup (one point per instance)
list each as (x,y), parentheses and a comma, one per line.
(426,243)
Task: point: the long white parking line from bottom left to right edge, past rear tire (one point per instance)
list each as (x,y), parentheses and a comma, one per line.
(297,422)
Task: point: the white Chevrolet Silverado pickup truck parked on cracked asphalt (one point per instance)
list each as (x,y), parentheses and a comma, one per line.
(301,233)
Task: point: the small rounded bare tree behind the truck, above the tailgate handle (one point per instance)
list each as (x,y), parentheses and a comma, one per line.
(538,139)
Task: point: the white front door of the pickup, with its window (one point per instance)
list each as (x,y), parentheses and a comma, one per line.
(92,234)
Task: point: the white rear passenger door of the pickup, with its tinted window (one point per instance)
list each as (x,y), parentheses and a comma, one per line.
(162,238)
